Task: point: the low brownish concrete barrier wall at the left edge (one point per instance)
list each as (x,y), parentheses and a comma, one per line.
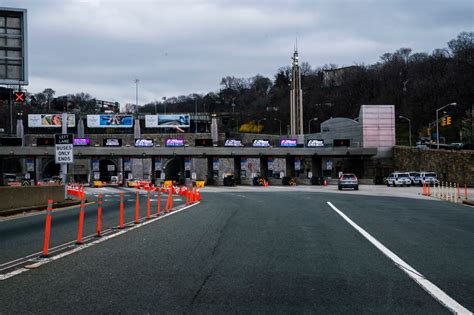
(29,196)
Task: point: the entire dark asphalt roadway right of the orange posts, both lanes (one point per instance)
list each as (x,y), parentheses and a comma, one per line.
(265,252)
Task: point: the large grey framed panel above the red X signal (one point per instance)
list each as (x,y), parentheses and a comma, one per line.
(13,47)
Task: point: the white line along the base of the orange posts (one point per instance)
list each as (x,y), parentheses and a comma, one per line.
(99,240)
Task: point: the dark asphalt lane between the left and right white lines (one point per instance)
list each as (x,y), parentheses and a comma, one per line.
(233,252)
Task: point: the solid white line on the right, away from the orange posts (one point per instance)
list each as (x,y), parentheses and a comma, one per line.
(427,285)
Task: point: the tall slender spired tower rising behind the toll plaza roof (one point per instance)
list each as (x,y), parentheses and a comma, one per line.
(296,97)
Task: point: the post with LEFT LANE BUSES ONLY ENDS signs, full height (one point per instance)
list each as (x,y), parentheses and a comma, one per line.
(64,153)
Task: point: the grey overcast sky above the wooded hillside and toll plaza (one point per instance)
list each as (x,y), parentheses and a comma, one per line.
(182,47)
